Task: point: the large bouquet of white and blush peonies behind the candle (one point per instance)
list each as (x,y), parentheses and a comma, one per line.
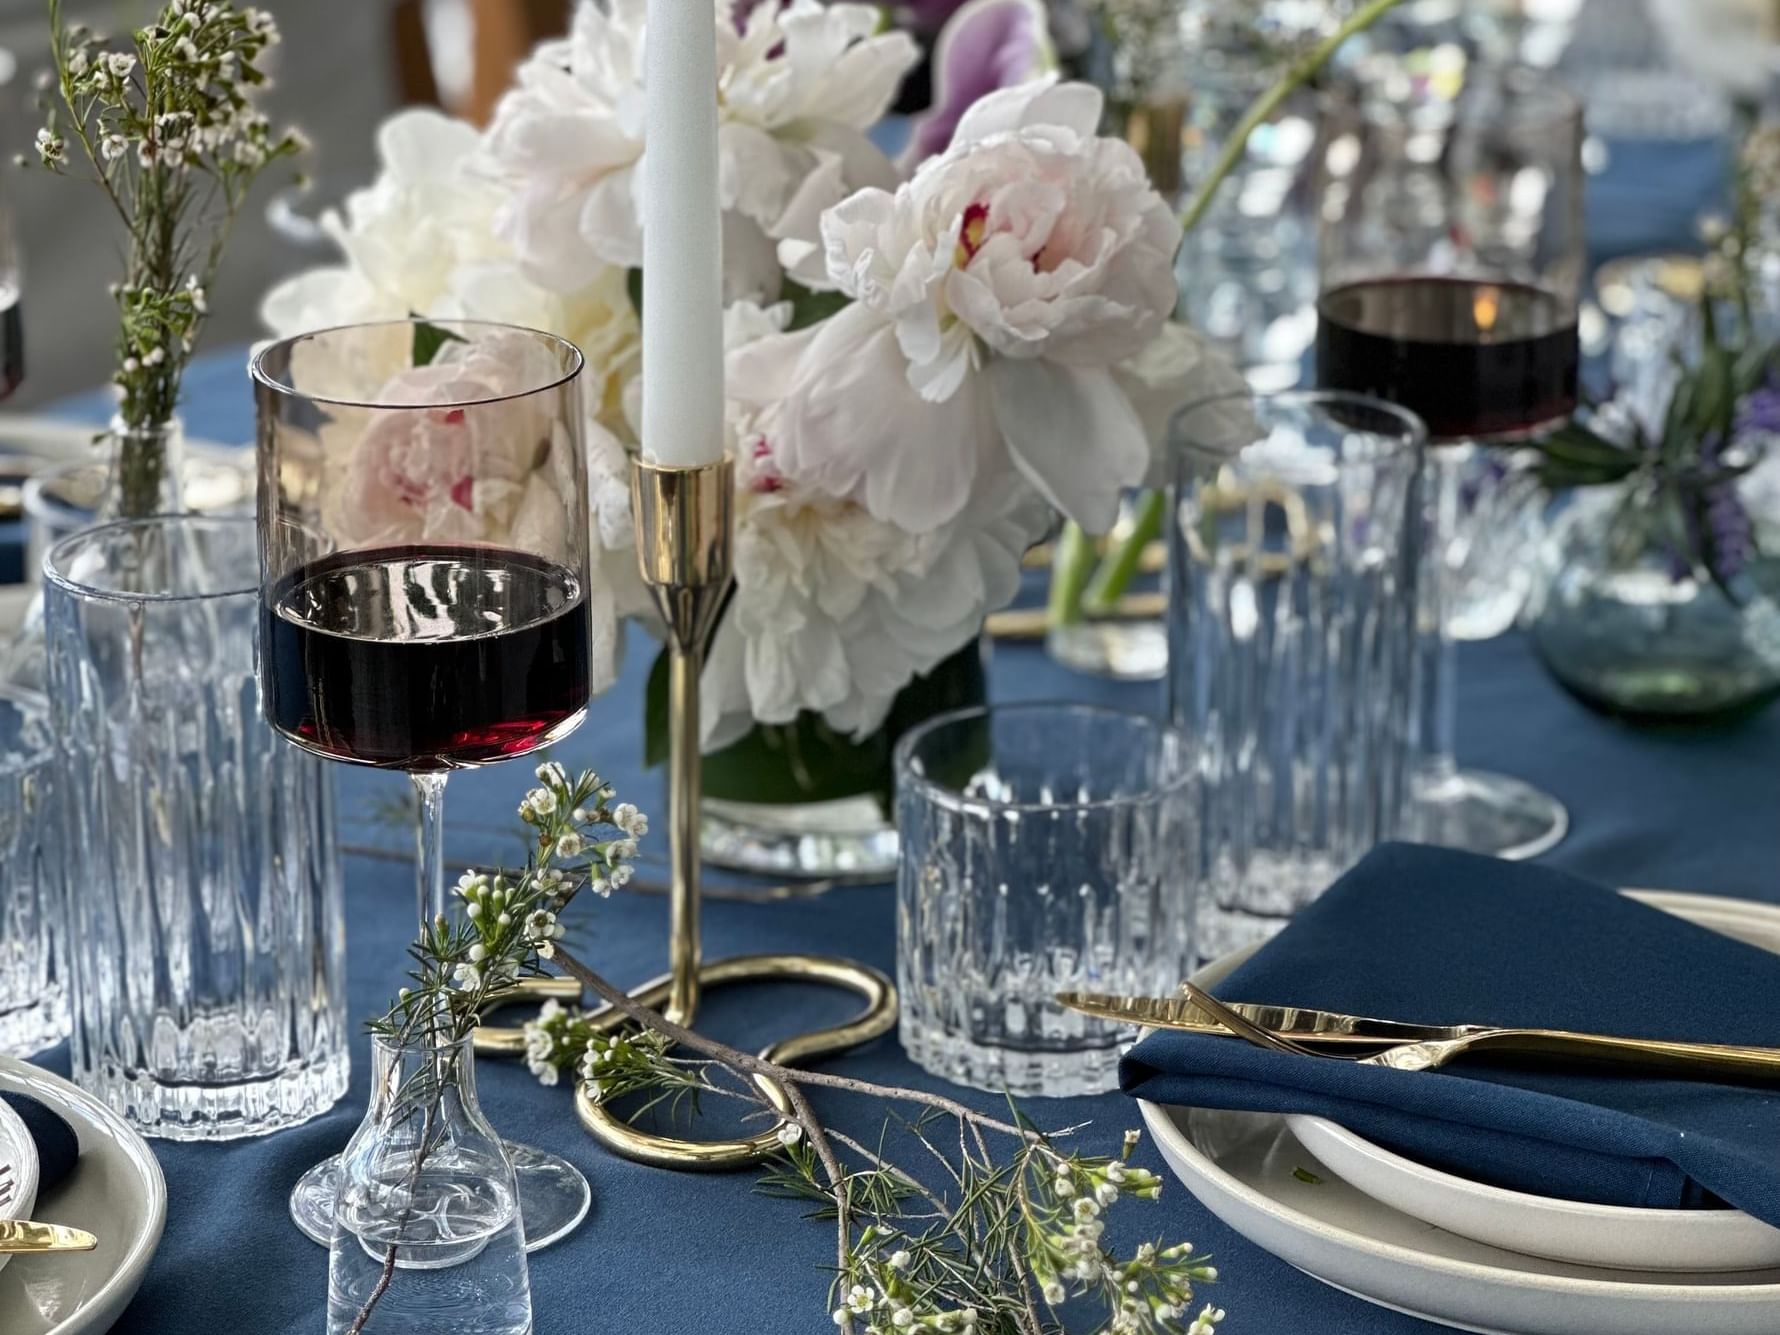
(926,362)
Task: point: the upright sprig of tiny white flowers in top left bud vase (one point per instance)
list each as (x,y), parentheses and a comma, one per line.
(175,143)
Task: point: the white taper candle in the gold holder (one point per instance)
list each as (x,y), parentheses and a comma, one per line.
(683,238)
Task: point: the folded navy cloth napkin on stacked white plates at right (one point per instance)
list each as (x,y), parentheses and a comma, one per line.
(1439,937)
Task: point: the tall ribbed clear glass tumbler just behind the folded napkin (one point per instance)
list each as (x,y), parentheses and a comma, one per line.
(1291,617)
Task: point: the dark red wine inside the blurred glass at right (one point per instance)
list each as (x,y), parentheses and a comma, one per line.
(1473,359)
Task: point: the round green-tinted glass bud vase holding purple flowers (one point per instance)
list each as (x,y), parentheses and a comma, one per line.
(1631,629)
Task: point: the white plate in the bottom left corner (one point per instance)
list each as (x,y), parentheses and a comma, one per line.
(115,1192)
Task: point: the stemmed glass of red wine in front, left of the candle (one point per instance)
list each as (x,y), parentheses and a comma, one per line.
(425,569)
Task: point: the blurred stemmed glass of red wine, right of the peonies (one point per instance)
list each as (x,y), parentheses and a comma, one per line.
(1452,263)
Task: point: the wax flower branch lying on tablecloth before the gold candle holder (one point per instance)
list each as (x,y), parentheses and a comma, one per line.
(999,1238)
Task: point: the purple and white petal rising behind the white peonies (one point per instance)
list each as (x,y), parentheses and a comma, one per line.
(985,47)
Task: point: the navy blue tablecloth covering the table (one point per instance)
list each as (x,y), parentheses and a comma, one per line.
(708,1256)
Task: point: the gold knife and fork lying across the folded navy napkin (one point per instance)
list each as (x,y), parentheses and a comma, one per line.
(1427,1048)
